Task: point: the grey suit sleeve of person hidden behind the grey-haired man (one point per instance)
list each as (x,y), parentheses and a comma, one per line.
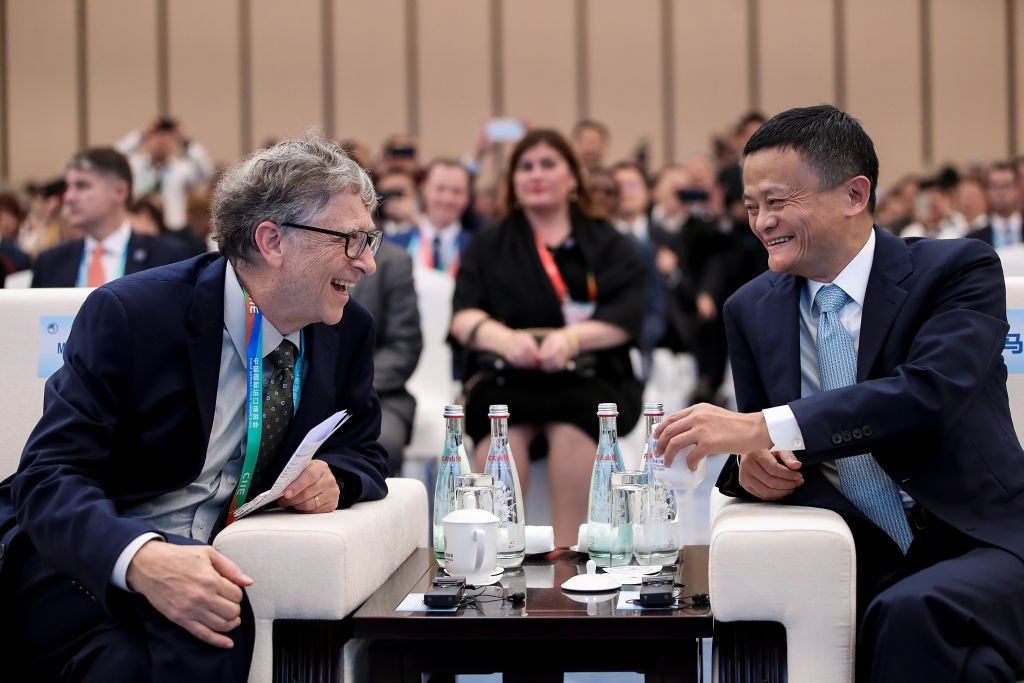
(400,343)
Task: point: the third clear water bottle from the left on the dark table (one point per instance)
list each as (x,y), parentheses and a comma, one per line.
(609,460)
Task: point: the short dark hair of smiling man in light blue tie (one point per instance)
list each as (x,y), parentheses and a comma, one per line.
(832,142)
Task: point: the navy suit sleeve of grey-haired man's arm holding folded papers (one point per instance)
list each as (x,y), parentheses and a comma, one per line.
(354,453)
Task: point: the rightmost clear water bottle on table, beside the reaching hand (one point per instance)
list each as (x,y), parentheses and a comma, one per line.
(663,521)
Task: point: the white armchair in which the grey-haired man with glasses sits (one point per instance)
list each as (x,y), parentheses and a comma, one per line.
(314,569)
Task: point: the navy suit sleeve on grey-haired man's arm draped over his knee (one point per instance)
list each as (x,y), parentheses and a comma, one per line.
(59,493)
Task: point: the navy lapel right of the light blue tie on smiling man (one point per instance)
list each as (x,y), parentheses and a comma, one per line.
(883,300)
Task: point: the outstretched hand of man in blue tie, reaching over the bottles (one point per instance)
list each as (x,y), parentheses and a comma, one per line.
(710,430)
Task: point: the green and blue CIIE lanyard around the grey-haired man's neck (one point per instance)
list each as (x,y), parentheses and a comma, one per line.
(254,402)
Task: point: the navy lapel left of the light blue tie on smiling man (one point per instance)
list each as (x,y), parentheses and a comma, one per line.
(779,331)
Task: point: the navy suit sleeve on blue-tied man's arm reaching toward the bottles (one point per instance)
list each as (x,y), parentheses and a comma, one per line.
(956,349)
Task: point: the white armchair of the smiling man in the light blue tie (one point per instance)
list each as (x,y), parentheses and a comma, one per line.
(797,566)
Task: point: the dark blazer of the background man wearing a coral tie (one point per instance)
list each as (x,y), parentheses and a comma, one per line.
(59,267)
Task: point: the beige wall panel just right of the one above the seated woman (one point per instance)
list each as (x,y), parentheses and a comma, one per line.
(625,69)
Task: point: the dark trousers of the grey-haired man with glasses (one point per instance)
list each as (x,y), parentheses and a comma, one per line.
(58,632)
